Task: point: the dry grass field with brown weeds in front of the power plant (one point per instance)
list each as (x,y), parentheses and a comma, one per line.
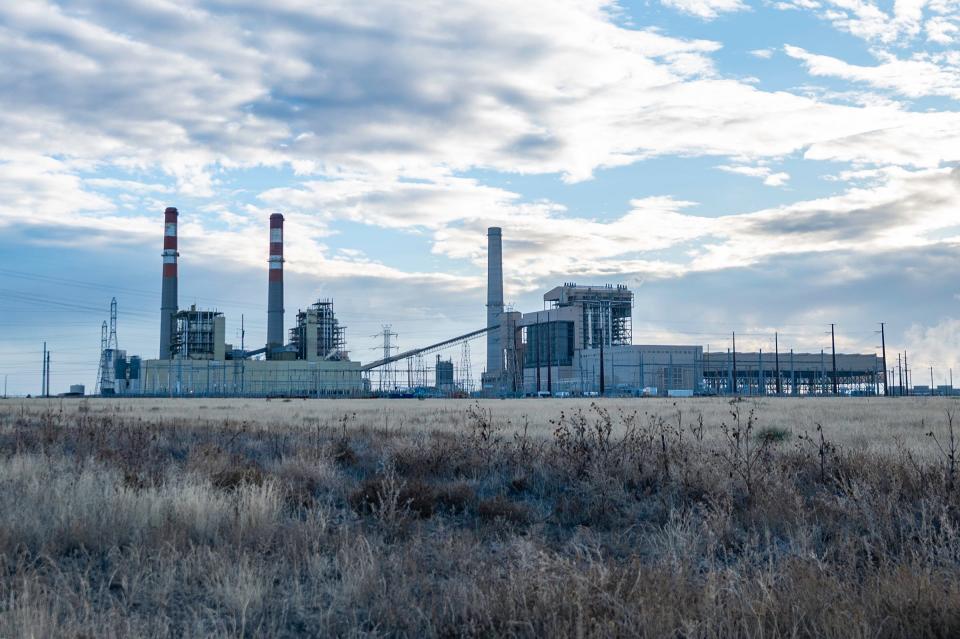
(658,518)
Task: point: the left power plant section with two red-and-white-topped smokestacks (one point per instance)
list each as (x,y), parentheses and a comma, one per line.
(196,360)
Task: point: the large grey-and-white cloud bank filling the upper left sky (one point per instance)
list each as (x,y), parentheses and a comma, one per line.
(542,87)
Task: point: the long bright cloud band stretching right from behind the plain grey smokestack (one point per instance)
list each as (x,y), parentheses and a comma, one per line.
(659,238)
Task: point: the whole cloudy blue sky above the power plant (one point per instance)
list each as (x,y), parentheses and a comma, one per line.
(756,167)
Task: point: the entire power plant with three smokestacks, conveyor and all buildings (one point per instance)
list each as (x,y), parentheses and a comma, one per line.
(579,344)
